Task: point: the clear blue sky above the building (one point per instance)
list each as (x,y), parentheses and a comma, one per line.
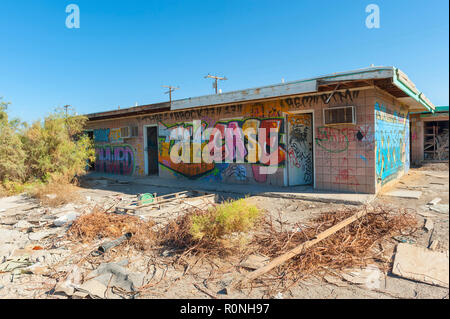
(125,50)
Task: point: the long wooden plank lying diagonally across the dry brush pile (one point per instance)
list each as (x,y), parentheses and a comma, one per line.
(297,250)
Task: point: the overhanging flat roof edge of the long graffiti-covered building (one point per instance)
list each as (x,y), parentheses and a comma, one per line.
(389,78)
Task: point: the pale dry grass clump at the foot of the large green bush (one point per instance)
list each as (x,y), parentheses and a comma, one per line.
(56,193)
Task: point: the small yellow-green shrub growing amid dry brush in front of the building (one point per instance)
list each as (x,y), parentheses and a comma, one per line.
(225,219)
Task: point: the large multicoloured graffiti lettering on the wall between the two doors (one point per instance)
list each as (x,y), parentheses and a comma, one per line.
(233,145)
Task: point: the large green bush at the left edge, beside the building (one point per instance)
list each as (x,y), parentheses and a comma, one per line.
(54,150)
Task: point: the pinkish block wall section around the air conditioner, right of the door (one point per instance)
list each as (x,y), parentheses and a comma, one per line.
(344,154)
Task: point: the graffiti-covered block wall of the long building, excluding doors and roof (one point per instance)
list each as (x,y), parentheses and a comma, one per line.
(344,157)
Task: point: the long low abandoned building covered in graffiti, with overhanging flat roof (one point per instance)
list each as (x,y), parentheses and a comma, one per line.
(346,132)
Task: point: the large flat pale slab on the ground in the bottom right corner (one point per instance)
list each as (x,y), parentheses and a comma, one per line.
(421,264)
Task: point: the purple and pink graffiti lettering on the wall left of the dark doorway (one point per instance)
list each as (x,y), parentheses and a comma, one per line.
(114,159)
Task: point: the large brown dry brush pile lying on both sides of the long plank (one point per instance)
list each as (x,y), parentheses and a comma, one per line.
(350,247)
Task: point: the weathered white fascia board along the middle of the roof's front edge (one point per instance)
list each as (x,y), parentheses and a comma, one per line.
(247,95)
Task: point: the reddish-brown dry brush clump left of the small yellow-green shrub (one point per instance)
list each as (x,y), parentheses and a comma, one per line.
(99,225)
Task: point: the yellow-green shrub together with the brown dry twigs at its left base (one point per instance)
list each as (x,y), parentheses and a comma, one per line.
(215,229)
